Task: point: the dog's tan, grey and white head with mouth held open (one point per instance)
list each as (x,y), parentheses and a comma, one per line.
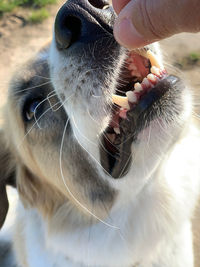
(88,121)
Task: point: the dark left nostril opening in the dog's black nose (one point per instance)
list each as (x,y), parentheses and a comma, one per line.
(67,30)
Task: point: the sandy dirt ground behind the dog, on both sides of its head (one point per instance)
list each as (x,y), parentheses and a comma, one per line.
(19,41)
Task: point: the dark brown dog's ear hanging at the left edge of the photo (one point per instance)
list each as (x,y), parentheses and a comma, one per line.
(7,177)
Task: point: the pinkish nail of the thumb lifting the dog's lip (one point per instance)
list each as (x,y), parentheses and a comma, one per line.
(126,34)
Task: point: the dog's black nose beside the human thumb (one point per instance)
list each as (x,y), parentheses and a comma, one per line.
(83,21)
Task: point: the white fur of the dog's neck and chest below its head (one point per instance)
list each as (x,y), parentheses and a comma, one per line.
(136,226)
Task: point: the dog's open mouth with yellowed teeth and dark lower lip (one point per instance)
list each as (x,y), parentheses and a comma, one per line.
(142,81)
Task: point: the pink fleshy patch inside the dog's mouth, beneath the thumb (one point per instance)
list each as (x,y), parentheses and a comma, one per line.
(138,65)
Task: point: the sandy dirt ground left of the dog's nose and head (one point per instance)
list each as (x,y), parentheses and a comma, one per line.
(19,42)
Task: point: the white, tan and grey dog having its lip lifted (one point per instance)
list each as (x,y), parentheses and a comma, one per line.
(102,147)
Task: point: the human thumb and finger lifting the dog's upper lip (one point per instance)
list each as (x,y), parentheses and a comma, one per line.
(141,22)
